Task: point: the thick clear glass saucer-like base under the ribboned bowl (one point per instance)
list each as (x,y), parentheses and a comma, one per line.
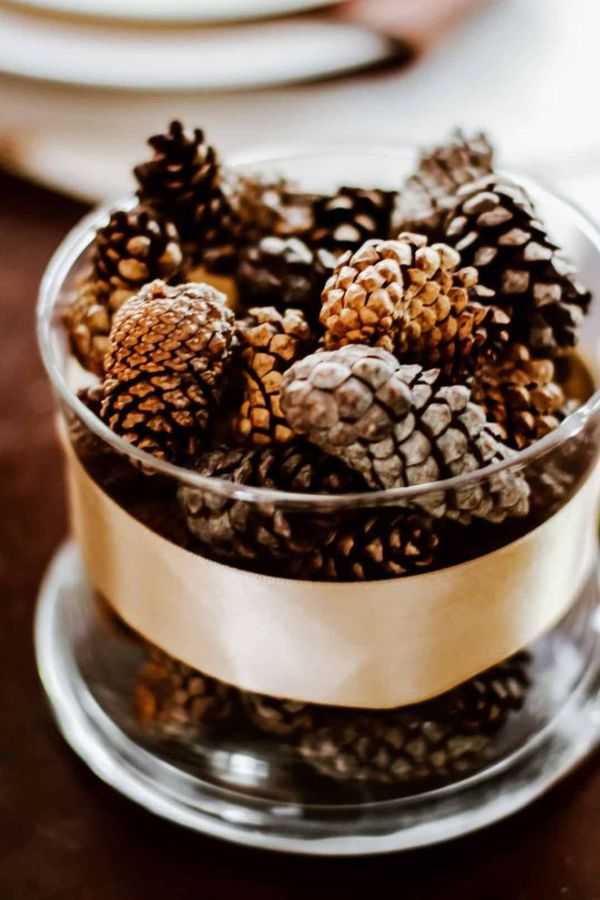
(289,821)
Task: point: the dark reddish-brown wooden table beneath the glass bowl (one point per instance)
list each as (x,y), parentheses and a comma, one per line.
(63,834)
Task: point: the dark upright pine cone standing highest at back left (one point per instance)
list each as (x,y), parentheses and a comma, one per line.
(181,178)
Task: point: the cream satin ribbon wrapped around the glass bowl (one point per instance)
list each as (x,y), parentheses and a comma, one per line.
(373,644)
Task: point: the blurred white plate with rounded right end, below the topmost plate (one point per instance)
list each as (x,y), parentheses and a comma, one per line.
(182,58)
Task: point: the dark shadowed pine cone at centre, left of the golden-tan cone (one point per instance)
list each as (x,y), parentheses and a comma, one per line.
(284,272)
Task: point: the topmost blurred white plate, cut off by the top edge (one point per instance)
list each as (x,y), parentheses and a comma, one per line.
(176,10)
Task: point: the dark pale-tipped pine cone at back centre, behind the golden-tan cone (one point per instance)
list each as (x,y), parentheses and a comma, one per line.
(351,217)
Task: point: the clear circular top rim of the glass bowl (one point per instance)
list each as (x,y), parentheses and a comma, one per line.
(78,240)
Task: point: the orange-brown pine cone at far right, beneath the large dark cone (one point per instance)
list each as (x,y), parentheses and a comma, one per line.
(520,395)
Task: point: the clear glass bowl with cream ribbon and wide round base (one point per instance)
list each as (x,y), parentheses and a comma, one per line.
(307,772)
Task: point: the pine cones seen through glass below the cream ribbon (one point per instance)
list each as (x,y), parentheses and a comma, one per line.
(450,736)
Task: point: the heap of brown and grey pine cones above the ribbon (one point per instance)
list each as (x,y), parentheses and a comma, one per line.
(368,340)
